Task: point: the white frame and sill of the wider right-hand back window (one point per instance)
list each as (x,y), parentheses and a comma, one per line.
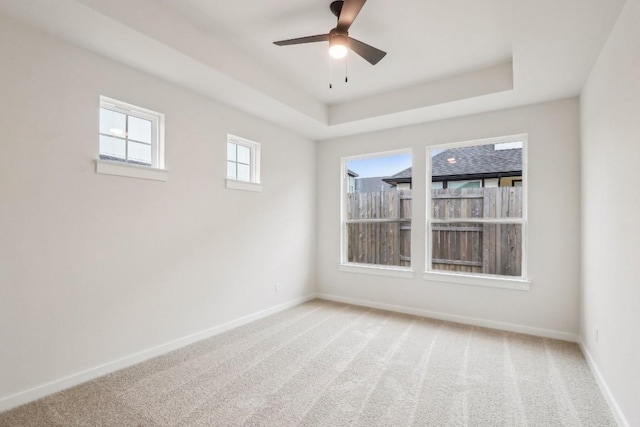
(505,282)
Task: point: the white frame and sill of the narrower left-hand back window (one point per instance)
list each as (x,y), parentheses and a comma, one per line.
(344,264)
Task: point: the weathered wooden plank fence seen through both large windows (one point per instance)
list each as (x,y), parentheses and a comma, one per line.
(474,230)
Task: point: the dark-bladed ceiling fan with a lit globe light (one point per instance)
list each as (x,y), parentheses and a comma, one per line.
(339,41)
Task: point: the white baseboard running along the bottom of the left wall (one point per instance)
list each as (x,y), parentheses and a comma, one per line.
(63,383)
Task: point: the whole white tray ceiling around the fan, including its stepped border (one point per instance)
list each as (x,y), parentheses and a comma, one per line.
(445,58)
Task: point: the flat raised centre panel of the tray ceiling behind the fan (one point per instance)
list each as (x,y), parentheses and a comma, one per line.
(424,40)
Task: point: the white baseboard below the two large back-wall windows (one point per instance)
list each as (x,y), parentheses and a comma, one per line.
(492,324)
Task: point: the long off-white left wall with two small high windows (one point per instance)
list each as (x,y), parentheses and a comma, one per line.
(175,258)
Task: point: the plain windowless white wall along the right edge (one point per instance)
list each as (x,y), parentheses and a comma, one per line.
(610,108)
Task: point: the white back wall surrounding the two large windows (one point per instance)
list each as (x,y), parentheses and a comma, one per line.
(551,306)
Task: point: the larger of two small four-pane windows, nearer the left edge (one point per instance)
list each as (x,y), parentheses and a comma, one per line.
(130,135)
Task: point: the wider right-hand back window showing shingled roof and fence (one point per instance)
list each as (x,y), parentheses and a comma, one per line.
(476,221)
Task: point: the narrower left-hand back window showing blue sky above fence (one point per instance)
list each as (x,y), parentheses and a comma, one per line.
(376,210)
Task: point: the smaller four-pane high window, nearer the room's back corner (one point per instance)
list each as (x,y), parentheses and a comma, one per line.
(243,162)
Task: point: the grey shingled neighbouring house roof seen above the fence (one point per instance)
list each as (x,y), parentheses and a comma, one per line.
(477,161)
